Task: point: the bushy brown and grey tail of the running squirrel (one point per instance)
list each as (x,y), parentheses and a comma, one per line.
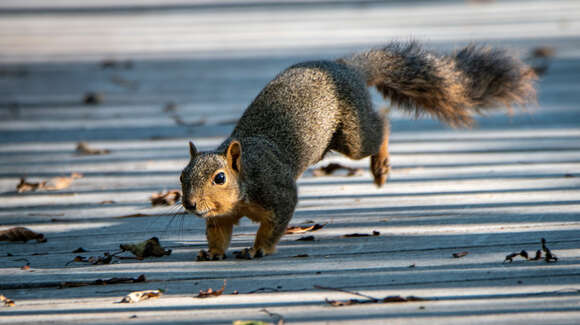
(450,88)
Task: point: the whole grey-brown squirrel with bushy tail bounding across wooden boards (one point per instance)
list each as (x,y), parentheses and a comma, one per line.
(314,107)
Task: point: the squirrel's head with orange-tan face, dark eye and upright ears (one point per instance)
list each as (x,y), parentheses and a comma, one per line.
(210,182)
